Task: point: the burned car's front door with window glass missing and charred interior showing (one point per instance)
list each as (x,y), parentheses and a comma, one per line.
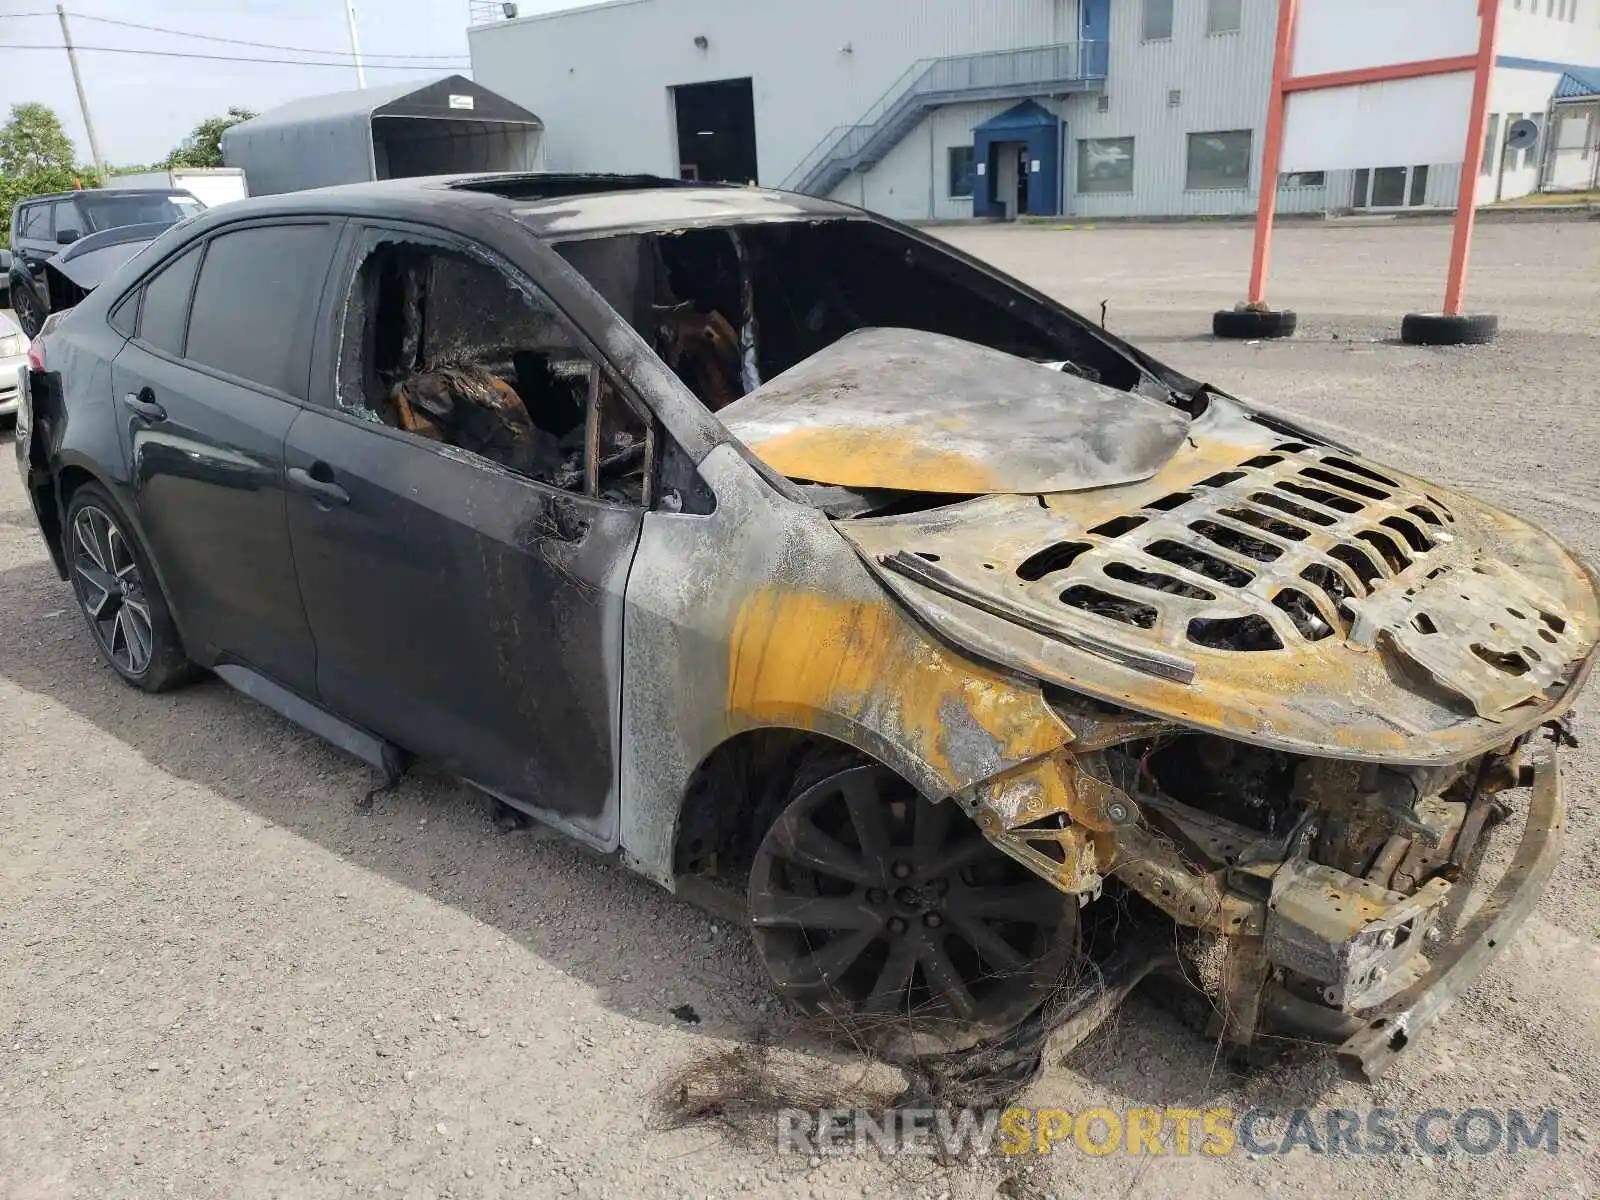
(465,583)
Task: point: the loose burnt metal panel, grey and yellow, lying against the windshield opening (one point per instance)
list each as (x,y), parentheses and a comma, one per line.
(922,412)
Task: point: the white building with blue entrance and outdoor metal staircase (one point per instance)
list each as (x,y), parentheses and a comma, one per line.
(975,108)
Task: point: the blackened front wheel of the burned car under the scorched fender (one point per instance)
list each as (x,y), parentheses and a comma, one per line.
(895,918)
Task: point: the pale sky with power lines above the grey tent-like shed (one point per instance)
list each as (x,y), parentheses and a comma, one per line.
(145,106)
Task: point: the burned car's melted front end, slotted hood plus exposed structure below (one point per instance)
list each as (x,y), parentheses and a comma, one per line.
(1302,689)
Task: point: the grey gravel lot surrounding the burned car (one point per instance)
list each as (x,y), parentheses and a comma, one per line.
(218,978)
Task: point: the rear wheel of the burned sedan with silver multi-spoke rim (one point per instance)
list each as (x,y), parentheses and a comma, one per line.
(119,594)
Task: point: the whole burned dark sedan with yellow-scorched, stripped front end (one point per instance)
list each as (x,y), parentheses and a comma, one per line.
(788,553)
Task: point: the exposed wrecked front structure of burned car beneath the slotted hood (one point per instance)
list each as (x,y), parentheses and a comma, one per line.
(1318,900)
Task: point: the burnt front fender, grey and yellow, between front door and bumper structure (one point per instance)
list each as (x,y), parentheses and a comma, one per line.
(759,617)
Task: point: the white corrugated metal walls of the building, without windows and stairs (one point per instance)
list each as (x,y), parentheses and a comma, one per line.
(601,78)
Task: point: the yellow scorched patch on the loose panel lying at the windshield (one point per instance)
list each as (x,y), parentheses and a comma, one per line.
(860,458)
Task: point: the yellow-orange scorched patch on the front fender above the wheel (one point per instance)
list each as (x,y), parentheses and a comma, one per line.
(796,655)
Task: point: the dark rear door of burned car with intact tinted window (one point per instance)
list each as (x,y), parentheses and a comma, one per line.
(207,390)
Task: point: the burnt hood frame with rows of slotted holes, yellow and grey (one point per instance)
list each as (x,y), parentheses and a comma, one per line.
(1345,671)
